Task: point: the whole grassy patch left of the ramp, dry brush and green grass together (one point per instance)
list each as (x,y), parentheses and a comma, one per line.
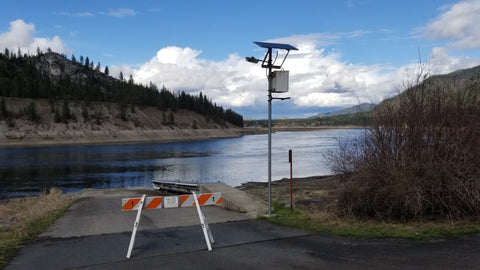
(23,219)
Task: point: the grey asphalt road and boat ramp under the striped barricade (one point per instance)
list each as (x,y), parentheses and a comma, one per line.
(241,243)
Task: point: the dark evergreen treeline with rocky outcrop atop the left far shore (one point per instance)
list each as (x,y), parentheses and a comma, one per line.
(55,77)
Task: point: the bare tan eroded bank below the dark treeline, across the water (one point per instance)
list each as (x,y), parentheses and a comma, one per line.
(100,122)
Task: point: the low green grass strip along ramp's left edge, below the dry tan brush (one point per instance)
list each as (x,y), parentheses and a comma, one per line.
(13,239)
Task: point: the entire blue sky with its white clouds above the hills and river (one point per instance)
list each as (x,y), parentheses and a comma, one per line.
(349,51)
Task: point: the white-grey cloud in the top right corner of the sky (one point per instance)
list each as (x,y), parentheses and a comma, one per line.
(458,22)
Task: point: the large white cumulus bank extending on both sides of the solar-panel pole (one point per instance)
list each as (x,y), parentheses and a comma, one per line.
(317,78)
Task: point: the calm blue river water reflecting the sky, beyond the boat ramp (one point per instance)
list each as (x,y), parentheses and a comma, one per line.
(27,171)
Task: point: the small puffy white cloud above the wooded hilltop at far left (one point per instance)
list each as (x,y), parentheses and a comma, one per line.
(21,35)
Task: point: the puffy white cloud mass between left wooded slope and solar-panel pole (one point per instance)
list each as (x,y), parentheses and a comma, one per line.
(232,81)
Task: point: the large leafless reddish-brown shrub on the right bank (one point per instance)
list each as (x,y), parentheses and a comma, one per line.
(420,159)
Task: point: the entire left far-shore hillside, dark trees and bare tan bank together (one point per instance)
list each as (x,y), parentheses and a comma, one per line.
(48,98)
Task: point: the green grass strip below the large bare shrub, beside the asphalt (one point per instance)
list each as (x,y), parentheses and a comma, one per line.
(284,216)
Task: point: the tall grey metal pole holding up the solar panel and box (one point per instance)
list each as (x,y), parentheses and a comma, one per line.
(269,132)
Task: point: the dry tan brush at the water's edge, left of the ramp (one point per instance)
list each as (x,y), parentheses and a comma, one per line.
(21,211)
